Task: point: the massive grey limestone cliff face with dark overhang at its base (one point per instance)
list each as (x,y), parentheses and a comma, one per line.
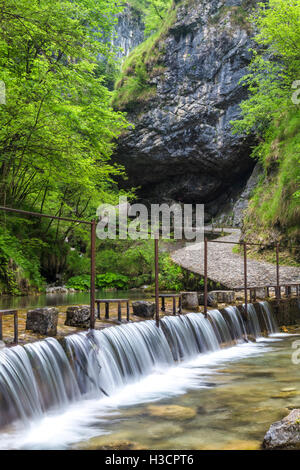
(182,147)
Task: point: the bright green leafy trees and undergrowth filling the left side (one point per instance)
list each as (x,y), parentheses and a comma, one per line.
(58,129)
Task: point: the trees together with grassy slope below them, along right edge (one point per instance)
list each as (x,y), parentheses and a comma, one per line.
(272,116)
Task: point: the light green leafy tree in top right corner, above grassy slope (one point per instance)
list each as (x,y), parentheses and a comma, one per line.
(275,65)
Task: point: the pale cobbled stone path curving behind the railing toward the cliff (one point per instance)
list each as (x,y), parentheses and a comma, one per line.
(227,268)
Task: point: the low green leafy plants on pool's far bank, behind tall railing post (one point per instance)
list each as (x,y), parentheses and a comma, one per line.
(103,281)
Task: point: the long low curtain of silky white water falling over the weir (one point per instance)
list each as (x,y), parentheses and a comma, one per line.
(52,374)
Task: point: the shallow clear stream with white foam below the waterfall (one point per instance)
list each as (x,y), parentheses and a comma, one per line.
(230,397)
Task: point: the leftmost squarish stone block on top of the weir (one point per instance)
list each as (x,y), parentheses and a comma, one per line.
(43,321)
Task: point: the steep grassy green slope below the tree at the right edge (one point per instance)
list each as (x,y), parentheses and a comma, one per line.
(273,204)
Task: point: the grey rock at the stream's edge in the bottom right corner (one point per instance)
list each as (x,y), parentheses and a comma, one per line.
(284,434)
